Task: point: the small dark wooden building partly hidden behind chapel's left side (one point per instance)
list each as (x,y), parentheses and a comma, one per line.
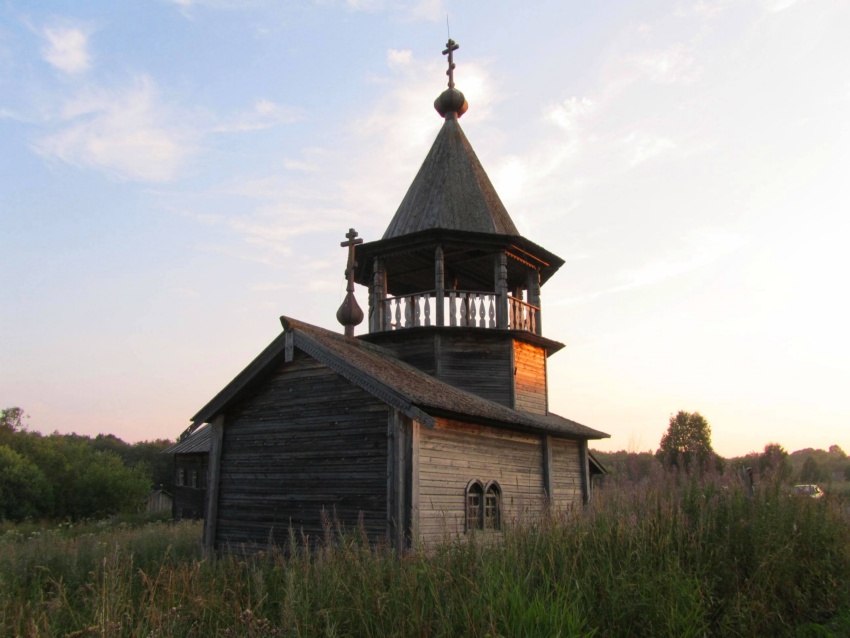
(191,465)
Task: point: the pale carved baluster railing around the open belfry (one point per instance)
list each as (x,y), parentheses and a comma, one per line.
(463,308)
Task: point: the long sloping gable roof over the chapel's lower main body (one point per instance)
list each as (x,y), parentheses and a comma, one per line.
(377,371)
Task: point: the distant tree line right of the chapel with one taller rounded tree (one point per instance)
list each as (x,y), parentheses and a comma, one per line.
(686,445)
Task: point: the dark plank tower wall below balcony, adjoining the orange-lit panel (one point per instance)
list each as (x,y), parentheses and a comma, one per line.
(477,363)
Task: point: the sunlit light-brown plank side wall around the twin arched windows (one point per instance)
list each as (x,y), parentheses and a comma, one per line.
(453,453)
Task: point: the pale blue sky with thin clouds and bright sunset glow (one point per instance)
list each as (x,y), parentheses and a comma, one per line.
(175,175)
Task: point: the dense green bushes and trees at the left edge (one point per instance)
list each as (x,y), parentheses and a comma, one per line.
(69,476)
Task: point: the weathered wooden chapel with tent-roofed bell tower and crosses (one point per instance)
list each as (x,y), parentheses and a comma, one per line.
(436,421)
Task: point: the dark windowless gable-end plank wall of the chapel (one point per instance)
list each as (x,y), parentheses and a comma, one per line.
(306,441)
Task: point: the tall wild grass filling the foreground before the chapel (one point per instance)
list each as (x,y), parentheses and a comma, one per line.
(673,557)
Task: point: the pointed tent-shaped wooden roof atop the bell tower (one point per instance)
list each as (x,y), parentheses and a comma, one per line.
(451,191)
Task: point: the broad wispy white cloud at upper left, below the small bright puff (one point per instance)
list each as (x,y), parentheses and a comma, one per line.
(125,132)
